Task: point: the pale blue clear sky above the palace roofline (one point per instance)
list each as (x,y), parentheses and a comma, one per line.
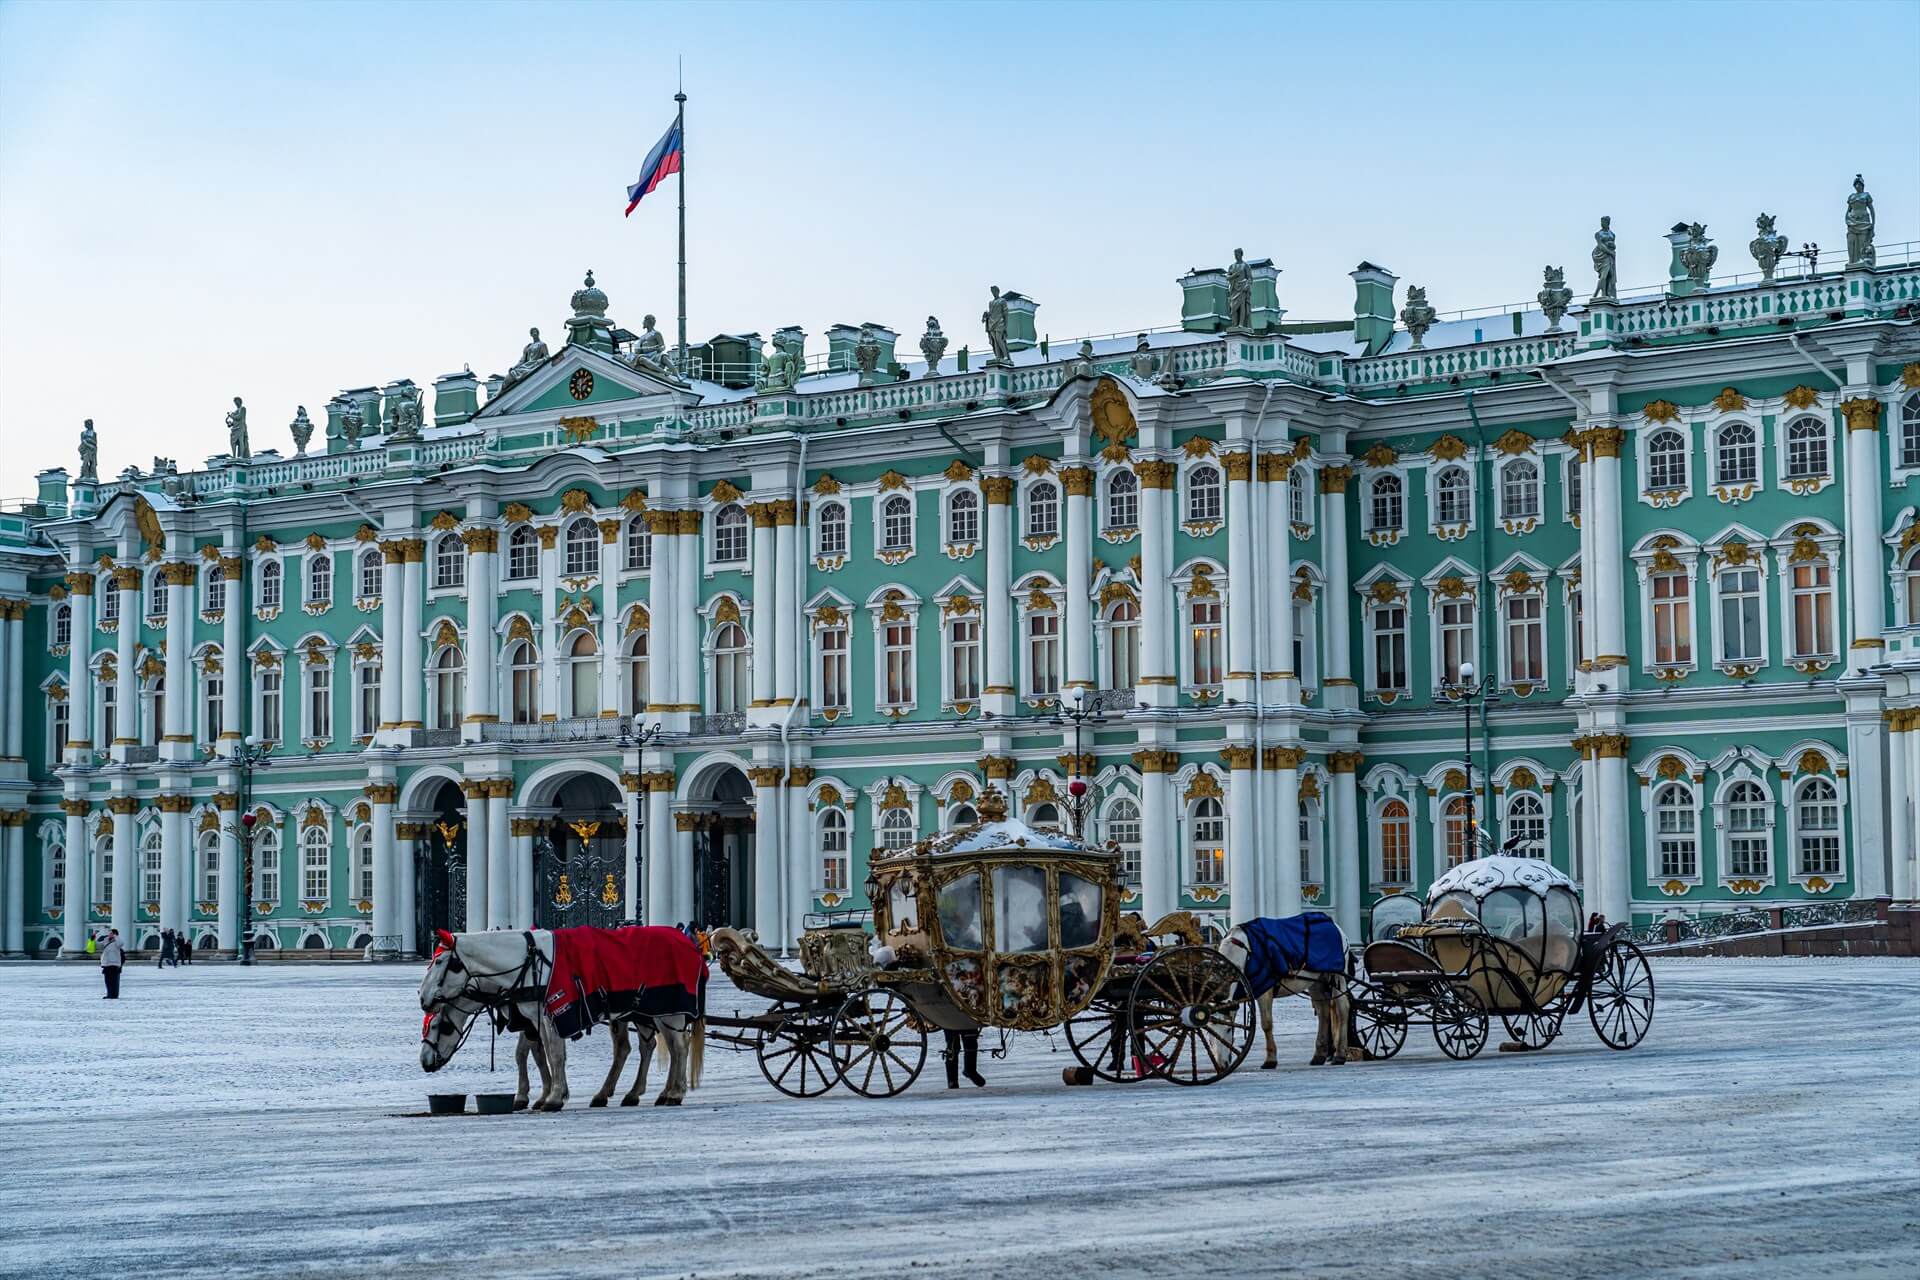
(281,201)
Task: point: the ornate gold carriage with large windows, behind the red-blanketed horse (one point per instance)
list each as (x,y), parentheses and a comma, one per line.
(992,926)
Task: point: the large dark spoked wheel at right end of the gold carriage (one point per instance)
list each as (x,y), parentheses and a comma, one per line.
(1191,1016)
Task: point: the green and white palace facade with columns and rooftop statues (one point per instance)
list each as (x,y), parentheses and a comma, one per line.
(640,632)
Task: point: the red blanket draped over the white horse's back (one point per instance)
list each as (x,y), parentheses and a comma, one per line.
(600,974)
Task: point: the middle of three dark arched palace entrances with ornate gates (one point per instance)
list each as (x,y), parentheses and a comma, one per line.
(581,857)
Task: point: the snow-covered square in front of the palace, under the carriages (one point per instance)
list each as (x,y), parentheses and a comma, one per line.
(252,1122)
